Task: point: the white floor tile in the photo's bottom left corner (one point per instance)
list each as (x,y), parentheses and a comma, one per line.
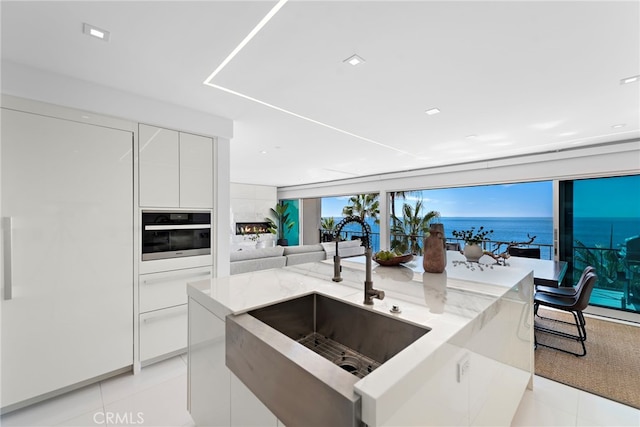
(57,409)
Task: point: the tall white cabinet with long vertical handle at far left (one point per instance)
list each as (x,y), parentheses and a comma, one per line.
(67,291)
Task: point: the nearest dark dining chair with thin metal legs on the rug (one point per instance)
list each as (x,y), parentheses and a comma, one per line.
(574,305)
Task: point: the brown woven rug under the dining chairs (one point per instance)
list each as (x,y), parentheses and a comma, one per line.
(610,369)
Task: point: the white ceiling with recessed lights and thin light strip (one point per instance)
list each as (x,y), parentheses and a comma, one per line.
(523,77)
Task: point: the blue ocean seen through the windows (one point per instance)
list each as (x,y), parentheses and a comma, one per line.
(590,231)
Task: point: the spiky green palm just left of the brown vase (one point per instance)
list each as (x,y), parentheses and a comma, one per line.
(407,232)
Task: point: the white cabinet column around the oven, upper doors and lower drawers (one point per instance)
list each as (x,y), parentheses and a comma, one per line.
(175,173)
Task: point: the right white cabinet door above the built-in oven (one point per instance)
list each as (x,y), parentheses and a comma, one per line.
(196,171)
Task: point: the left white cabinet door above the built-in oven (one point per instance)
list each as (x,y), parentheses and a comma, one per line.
(159,167)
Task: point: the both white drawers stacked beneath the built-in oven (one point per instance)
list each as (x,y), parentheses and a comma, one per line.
(163,311)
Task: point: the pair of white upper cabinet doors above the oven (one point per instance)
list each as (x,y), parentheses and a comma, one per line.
(176,169)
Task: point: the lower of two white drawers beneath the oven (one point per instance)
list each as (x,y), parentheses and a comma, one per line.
(163,331)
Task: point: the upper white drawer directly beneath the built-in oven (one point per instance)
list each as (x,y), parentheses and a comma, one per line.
(168,289)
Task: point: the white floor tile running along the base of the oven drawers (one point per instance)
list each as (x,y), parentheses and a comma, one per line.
(125,385)
